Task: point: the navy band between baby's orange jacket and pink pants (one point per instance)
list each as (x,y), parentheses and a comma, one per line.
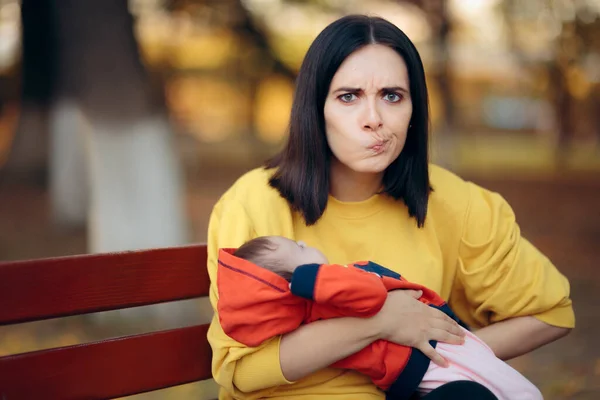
(411,376)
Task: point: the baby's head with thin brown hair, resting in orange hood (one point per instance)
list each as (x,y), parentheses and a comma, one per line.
(279,254)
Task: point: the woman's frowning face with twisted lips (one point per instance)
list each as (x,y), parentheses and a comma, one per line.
(368,109)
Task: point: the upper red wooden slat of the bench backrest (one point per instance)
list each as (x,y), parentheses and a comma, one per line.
(62,286)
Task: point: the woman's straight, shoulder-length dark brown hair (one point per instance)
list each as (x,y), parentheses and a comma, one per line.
(302,174)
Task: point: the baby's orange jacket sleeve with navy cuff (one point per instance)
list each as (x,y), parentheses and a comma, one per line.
(356,293)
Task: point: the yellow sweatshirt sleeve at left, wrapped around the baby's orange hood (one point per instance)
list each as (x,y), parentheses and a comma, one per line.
(245,372)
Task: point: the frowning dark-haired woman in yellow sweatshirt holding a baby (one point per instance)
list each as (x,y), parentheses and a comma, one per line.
(354,181)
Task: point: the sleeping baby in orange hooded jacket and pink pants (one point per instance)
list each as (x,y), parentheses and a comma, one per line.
(287,283)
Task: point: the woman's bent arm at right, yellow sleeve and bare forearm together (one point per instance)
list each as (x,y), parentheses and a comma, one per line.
(510,287)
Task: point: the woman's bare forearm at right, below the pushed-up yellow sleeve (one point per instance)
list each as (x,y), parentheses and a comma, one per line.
(517,336)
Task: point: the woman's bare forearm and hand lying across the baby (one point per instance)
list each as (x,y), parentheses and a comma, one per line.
(402,319)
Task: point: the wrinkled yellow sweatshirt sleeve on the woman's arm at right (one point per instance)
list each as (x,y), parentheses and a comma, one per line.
(502,275)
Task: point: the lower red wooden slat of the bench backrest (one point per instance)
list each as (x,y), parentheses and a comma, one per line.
(108,369)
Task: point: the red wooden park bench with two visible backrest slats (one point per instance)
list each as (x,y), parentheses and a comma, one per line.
(35,290)
